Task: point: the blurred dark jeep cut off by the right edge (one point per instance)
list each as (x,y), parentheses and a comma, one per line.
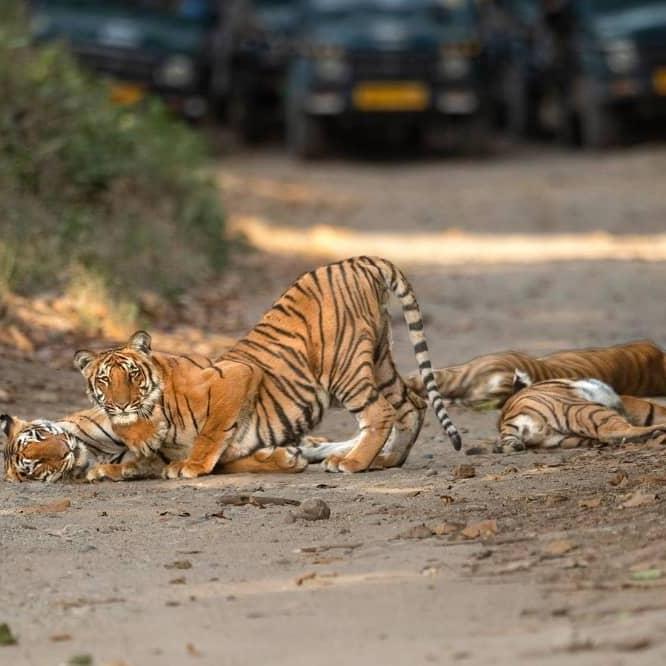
(608,70)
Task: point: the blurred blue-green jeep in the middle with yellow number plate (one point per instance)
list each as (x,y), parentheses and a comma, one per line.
(409,63)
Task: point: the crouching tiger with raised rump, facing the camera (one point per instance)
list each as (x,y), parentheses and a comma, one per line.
(325,341)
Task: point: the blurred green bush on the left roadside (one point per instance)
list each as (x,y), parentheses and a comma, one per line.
(118,191)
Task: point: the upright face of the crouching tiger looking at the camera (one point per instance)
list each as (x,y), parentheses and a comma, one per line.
(124,381)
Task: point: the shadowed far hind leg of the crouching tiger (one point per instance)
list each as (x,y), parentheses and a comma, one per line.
(409,409)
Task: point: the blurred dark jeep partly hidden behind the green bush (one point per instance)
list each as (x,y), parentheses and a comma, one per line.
(162,46)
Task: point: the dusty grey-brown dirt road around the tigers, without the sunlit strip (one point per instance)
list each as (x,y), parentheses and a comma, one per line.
(144,573)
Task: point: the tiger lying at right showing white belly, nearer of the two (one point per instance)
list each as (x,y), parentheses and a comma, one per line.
(574,412)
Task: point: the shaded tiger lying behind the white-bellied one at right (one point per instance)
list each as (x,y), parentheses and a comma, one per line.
(635,368)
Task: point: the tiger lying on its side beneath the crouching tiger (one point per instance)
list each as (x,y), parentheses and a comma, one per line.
(75,447)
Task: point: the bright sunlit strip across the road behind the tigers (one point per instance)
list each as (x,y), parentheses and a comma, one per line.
(450,246)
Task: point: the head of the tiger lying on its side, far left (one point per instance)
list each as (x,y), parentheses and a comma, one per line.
(40,451)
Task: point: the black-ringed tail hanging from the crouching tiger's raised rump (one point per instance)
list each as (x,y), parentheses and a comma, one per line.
(403,291)
